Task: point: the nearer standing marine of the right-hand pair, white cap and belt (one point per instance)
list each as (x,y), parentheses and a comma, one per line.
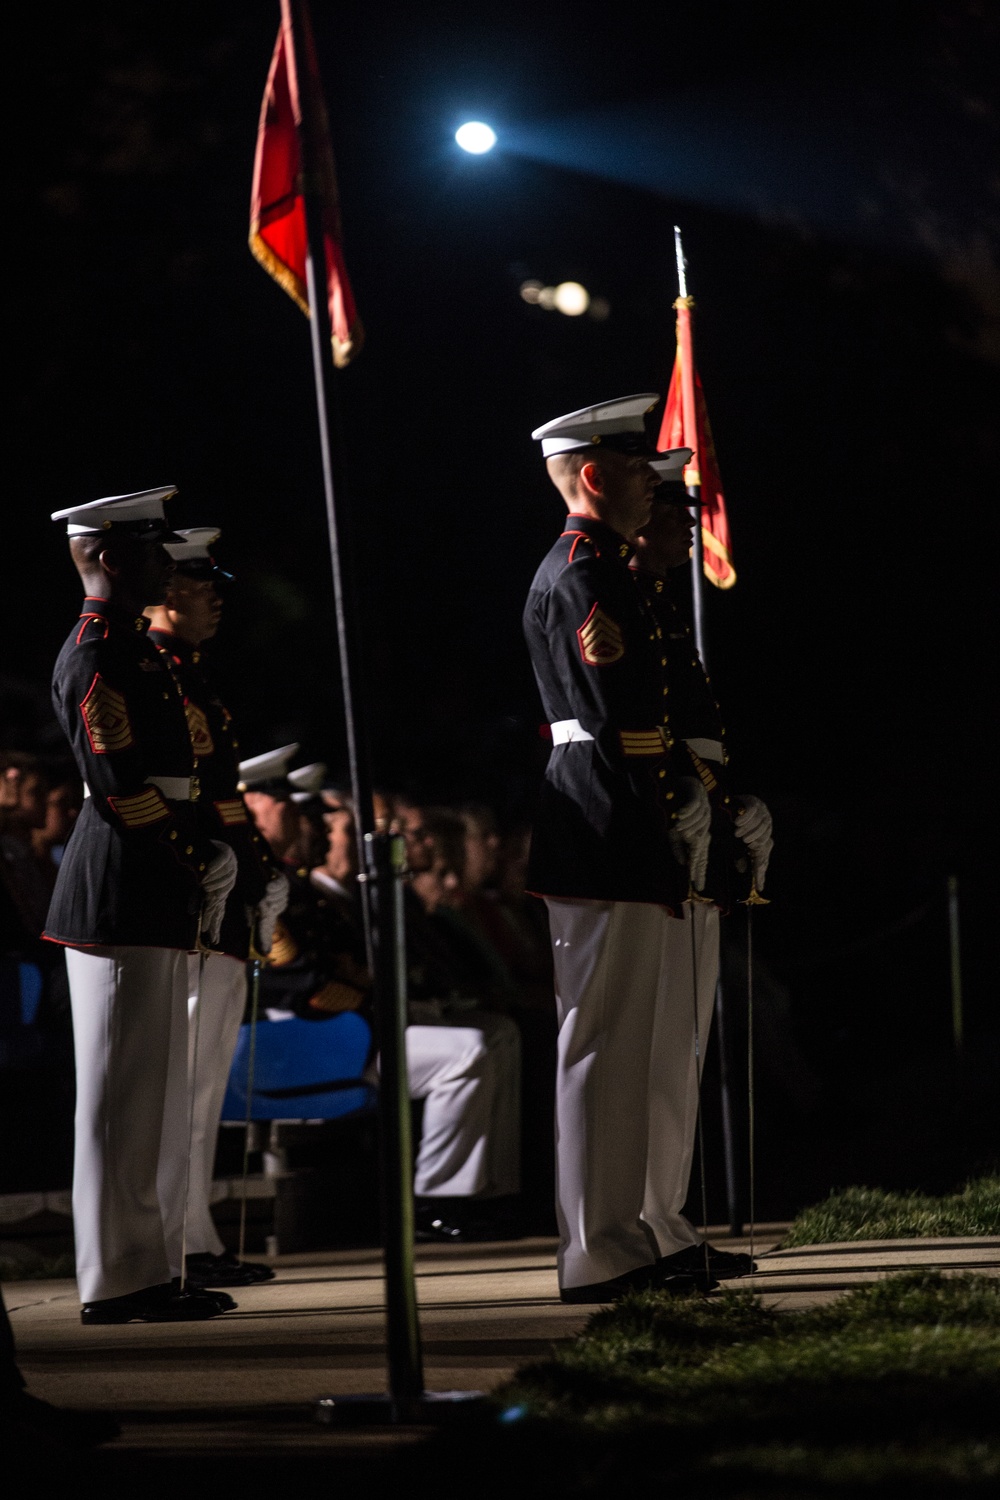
(620,841)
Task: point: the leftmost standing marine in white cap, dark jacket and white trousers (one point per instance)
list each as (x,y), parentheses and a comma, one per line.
(139,881)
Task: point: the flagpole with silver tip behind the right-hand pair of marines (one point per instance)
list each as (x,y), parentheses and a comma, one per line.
(684,305)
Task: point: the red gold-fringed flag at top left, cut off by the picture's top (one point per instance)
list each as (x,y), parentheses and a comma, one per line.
(278,209)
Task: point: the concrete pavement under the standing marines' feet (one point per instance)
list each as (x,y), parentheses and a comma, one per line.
(245,1382)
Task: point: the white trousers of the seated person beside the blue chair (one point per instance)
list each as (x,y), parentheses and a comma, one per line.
(467,1067)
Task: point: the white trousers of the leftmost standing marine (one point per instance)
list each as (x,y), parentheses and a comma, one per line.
(131,1042)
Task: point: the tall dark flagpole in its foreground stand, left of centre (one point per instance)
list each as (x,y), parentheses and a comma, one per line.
(383,859)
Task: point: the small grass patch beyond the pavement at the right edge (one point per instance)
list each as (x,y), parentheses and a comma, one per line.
(875,1214)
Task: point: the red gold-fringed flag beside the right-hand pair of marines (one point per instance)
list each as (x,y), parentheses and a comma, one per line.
(686,425)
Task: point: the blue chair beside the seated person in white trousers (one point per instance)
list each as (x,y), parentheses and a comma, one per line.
(302,1070)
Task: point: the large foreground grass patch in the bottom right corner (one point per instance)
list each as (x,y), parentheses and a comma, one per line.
(893,1390)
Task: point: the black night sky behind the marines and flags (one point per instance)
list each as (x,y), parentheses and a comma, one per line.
(836,175)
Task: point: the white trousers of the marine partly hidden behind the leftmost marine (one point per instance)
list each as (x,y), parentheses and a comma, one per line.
(217,998)
